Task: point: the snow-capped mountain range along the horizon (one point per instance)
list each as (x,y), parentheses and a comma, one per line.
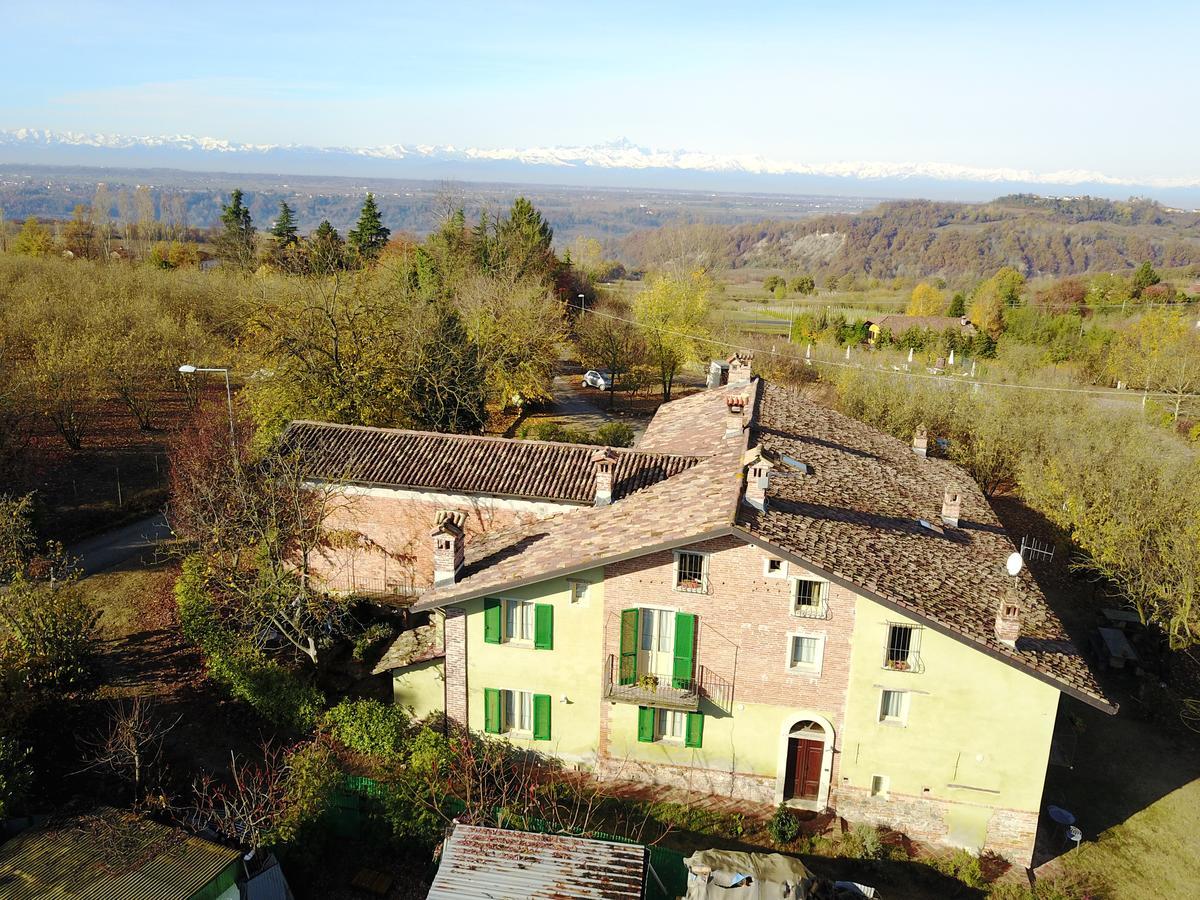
(598,165)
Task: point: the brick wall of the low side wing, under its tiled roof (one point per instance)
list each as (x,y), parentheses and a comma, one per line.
(382,538)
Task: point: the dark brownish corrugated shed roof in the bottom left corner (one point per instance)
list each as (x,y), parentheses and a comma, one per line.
(109,856)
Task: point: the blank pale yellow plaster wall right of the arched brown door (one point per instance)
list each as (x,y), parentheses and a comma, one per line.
(979,730)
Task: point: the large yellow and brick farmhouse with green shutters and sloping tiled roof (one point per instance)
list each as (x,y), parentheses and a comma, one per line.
(783,605)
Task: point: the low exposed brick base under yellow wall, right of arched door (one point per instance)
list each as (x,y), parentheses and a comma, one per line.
(1010,832)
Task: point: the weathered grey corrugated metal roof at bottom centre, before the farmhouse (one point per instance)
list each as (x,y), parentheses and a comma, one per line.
(497,865)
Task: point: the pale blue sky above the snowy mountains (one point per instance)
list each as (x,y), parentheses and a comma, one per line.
(1045,87)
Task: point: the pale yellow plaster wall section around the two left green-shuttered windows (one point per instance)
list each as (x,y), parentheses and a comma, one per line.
(572,670)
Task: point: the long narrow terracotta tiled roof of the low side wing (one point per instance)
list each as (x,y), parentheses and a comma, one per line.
(532,470)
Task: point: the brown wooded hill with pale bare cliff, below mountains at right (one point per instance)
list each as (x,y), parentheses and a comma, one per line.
(921,238)
